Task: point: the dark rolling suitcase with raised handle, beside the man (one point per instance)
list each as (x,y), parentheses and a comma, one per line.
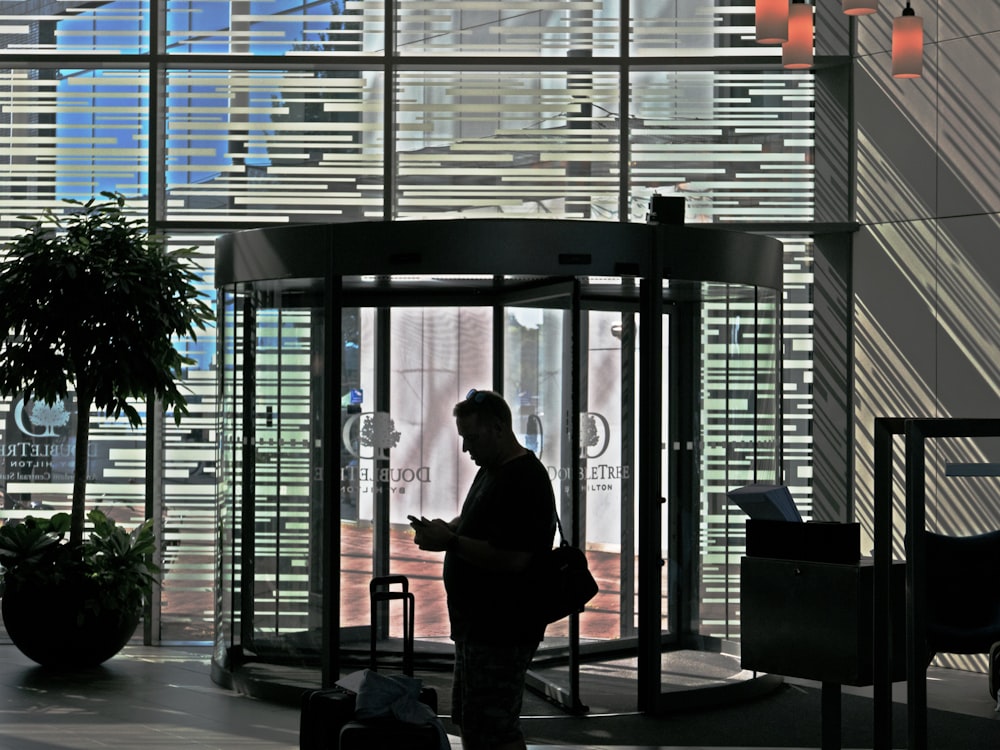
(374,729)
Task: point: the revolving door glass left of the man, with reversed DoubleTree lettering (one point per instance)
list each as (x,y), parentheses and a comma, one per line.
(401,454)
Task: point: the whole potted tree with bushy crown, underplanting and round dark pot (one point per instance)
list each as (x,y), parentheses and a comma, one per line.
(93,303)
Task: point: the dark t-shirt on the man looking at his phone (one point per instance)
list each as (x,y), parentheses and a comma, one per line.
(513,509)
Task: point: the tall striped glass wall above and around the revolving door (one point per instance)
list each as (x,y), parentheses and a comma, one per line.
(220,116)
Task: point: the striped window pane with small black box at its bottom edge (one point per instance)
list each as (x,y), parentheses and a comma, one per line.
(737,145)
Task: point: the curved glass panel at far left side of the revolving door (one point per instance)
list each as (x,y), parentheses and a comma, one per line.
(281,578)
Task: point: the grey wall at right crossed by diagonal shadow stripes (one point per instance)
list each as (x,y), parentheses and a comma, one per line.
(926,262)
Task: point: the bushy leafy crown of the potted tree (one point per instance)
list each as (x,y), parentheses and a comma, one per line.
(131,298)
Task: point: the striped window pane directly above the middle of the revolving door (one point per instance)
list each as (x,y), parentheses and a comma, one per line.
(492,143)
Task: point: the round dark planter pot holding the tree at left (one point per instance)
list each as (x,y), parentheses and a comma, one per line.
(50,626)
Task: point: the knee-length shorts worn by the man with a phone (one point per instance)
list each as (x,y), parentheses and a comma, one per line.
(487,691)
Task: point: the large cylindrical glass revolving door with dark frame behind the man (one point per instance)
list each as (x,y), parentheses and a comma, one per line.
(641,365)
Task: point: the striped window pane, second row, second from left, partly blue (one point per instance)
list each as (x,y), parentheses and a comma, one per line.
(274,146)
